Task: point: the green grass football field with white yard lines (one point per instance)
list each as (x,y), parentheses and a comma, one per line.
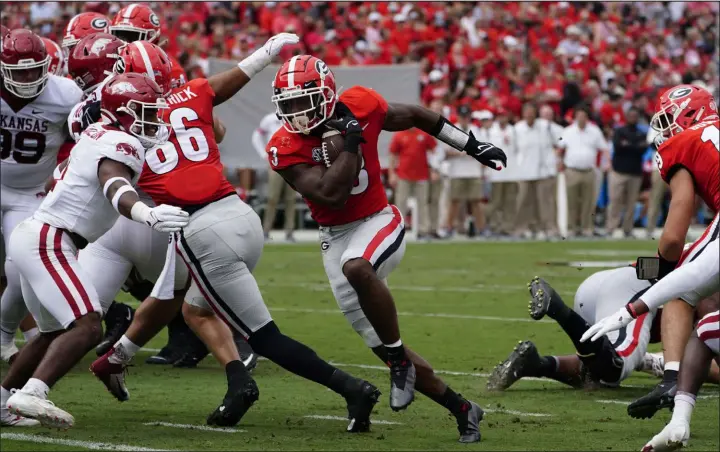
(463,306)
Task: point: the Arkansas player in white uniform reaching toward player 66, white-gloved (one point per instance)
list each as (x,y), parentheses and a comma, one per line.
(95,187)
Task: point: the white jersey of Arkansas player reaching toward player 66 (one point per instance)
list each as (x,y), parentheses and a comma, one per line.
(77,202)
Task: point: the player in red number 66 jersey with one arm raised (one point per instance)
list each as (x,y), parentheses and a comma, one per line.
(221,246)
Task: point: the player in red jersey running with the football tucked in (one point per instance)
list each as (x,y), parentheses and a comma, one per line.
(362,236)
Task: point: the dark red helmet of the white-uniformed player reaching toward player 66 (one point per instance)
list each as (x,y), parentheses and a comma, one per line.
(133,101)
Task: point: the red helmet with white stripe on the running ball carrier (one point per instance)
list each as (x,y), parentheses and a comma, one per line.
(304,93)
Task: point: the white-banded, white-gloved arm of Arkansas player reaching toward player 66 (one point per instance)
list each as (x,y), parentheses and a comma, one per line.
(115,179)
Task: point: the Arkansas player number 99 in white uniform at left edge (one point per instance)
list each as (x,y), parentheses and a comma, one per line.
(33,113)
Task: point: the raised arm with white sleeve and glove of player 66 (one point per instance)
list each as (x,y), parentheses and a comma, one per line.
(226,84)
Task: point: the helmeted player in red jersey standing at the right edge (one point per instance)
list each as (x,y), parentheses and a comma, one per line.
(688,159)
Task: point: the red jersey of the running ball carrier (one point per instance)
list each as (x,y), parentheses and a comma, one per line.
(368,195)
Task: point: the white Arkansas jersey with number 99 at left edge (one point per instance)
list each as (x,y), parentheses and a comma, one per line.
(32,136)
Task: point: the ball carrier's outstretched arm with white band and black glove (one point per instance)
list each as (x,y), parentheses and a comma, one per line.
(404,116)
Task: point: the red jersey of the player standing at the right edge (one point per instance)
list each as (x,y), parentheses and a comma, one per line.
(697,150)
